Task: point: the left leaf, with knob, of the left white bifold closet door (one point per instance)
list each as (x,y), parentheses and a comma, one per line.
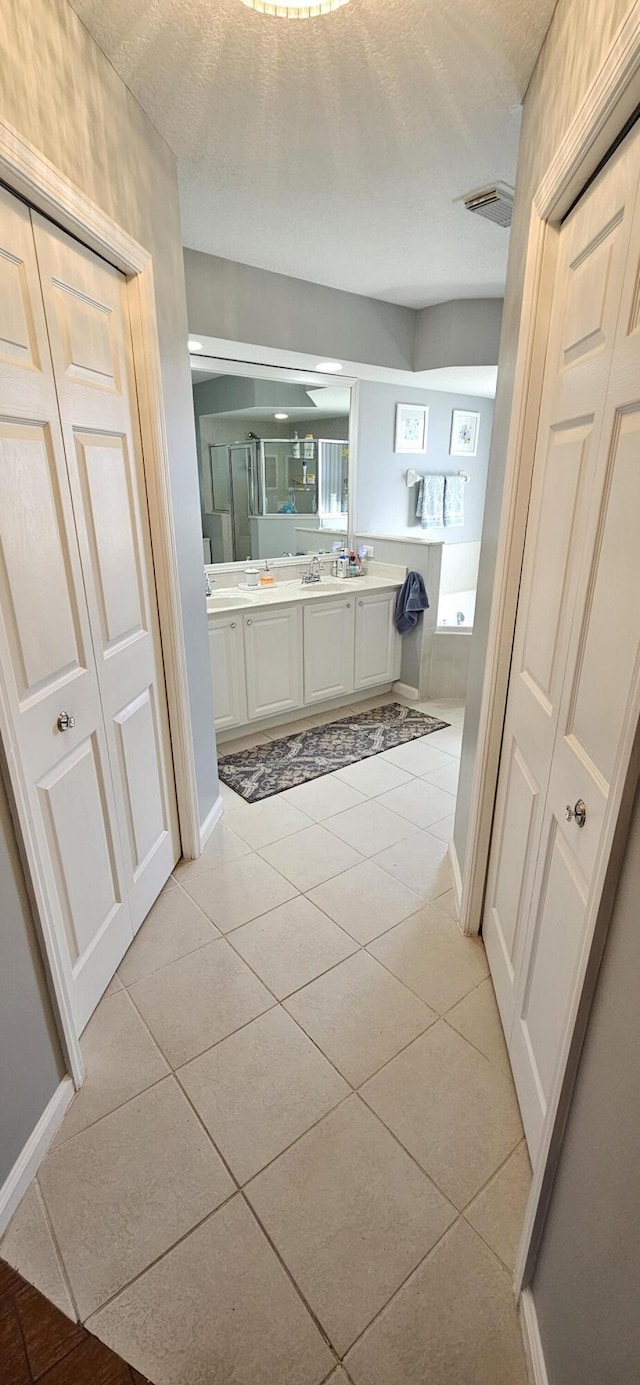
(46,650)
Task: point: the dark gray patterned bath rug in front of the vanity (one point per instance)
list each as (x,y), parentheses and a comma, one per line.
(296,760)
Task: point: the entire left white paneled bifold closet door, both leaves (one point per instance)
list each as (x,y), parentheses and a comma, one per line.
(78,631)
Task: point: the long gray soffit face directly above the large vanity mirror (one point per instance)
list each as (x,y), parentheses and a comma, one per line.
(254,305)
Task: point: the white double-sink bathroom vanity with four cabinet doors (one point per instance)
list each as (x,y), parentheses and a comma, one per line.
(278,650)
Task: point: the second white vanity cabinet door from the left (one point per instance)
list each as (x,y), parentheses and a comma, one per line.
(274,656)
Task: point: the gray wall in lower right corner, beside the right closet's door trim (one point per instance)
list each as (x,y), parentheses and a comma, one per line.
(588,1276)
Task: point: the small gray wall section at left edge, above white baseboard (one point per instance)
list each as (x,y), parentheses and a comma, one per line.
(31,1060)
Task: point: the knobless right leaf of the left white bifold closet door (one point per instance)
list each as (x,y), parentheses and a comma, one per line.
(87,312)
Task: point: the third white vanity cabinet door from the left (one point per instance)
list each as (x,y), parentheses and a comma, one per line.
(329,650)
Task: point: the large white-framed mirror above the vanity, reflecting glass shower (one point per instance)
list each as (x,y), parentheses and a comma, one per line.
(274,459)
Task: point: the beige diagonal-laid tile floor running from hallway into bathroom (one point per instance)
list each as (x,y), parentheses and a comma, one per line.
(297,1156)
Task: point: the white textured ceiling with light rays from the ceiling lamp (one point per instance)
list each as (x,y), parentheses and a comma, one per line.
(333,149)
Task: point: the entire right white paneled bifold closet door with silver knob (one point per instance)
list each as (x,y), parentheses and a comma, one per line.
(576,670)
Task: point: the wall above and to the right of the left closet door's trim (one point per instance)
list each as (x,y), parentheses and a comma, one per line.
(59,92)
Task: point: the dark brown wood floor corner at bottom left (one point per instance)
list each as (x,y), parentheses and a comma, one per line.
(41,1344)
